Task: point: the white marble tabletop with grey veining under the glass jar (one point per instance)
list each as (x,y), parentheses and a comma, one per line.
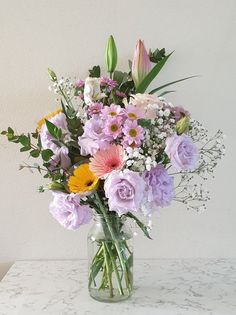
(162,287)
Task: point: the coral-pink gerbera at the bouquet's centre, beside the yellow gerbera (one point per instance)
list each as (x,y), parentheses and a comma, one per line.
(106,161)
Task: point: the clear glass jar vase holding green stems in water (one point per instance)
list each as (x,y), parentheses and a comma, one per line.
(110,259)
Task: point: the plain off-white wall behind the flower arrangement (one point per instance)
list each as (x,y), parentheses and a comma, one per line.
(69,36)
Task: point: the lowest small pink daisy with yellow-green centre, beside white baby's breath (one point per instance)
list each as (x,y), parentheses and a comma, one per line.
(133,134)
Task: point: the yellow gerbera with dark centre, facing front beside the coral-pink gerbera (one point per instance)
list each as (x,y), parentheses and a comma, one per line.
(83,180)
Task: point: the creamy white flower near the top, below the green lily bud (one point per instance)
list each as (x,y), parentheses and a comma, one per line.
(92,90)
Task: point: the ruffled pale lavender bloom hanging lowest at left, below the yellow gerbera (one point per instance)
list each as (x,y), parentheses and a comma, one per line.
(67,210)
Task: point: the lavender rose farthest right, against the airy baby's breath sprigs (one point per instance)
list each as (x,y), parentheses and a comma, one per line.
(182,152)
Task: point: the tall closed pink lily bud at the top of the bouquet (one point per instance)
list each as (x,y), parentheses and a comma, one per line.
(141,64)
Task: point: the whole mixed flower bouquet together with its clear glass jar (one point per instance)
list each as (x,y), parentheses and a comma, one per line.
(114,153)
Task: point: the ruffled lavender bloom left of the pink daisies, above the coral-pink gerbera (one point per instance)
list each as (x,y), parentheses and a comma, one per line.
(93,137)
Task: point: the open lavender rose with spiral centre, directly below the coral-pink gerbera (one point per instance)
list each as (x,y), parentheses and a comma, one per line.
(125,191)
